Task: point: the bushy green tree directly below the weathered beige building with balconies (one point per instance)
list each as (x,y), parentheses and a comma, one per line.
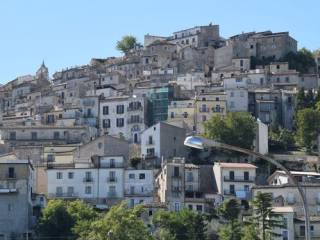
(182,225)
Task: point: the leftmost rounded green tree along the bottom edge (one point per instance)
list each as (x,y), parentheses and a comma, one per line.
(56,222)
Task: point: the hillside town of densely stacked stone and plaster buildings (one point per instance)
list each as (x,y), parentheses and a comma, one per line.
(114,130)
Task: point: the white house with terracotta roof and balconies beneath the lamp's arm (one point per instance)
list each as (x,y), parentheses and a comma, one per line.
(235,179)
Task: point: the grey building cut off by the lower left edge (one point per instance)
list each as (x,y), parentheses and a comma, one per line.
(16,184)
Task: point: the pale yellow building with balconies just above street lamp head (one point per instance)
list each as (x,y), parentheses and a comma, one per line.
(208,105)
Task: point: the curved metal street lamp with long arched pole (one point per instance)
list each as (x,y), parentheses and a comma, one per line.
(201,143)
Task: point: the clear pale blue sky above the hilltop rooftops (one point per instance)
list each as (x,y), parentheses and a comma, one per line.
(65,33)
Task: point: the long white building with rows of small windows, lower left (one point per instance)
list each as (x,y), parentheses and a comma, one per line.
(104,185)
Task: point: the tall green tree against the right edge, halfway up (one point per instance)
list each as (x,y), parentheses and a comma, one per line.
(308,127)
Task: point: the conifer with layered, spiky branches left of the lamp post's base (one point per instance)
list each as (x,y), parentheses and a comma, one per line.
(264,218)
